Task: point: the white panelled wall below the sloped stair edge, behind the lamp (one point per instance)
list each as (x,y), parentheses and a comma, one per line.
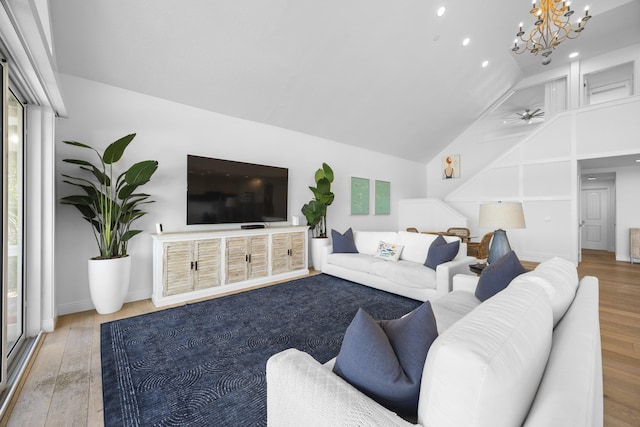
(542,172)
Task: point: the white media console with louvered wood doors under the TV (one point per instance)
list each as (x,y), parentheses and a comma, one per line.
(198,264)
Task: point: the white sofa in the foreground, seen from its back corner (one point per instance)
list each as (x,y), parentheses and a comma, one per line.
(495,363)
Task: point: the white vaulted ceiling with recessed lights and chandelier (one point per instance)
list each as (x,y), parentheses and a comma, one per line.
(388,76)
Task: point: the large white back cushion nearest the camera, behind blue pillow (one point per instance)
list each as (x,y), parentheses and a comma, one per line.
(485,369)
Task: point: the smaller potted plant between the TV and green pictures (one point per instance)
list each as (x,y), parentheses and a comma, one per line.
(316,211)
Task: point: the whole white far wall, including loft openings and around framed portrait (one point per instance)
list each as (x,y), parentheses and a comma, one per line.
(541,168)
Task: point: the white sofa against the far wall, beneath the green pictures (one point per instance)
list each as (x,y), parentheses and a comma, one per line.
(408,276)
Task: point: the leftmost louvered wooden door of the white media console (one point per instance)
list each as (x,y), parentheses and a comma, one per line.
(177,274)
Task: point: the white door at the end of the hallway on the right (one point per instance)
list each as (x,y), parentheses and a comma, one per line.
(594,218)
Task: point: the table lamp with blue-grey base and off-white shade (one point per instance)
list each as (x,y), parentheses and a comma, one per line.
(500,216)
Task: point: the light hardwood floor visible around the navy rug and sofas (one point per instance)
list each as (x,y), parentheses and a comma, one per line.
(63,386)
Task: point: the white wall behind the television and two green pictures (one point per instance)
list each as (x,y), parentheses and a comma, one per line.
(167,132)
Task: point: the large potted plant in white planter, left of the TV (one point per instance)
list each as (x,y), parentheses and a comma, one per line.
(110,205)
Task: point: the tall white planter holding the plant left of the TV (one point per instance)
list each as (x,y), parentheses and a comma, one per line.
(109,283)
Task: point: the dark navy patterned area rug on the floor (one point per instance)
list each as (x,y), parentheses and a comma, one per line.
(203,364)
